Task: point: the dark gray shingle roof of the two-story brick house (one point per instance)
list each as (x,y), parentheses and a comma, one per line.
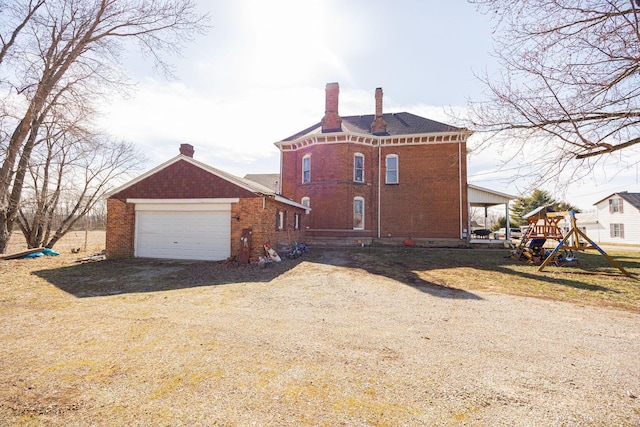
(397,124)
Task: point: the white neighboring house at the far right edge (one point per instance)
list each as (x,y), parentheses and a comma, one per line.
(618,217)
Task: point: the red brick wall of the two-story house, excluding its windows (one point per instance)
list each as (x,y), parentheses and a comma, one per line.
(424,204)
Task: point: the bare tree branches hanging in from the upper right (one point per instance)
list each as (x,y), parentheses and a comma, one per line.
(568,88)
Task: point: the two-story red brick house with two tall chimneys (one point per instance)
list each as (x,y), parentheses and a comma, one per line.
(378,176)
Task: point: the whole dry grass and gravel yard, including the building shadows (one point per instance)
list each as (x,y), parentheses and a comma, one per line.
(359,337)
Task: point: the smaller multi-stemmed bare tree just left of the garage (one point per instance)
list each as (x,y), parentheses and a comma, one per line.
(69,173)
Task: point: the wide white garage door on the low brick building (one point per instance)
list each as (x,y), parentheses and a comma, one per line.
(184,234)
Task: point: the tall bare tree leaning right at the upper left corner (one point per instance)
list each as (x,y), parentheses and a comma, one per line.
(56,51)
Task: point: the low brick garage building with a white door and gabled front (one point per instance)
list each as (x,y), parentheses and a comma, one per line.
(184,209)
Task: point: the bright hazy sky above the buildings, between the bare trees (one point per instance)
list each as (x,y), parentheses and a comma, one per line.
(259,74)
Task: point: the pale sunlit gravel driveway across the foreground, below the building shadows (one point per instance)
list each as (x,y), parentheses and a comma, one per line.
(321,345)
